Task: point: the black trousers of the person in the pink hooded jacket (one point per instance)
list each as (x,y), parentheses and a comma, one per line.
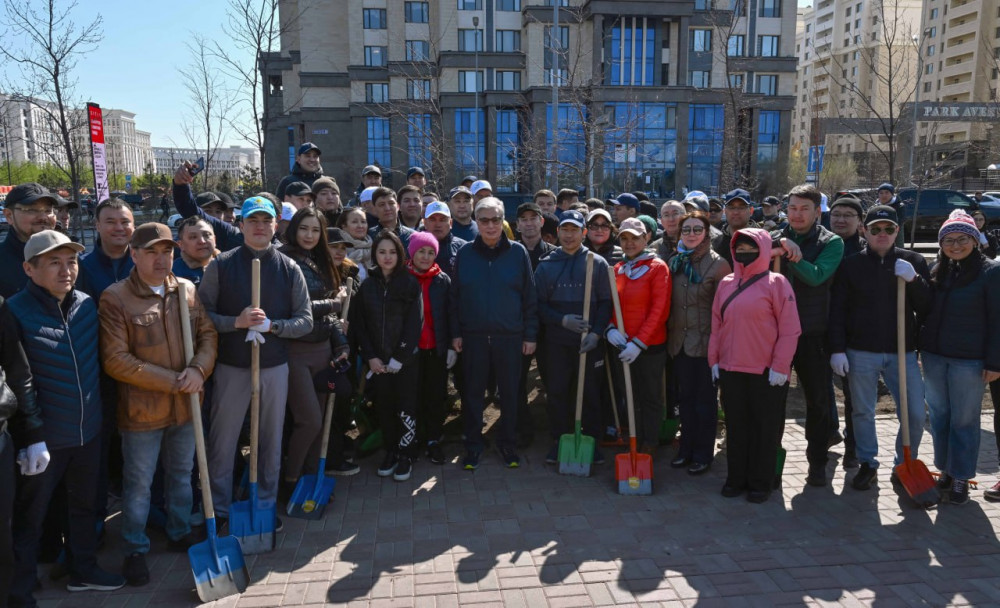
(754,412)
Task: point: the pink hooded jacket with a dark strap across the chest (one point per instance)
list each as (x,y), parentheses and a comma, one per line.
(760,329)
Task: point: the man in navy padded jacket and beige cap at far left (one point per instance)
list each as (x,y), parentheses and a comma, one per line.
(58,328)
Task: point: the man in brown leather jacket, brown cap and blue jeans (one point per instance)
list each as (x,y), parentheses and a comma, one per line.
(142,348)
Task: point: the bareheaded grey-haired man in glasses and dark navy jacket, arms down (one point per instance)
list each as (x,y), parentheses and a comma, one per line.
(493,298)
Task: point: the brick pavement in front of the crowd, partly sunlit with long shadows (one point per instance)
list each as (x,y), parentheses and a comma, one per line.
(532,537)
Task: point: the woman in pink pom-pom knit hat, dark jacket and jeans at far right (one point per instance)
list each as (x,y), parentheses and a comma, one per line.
(960,350)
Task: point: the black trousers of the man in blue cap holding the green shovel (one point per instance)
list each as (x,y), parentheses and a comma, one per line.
(563,363)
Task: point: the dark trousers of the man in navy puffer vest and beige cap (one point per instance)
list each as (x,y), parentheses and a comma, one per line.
(76,468)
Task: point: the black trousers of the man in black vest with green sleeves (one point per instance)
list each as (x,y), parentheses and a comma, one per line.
(812,364)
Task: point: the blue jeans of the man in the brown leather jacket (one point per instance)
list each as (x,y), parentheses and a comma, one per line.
(175,446)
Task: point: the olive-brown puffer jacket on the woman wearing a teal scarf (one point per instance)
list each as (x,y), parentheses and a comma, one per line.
(690,321)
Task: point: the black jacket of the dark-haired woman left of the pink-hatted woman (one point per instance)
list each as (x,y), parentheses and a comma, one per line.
(388,316)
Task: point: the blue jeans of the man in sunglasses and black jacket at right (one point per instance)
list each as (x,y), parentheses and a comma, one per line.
(865,368)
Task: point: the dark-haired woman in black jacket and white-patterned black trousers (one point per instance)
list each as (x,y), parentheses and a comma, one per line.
(386,322)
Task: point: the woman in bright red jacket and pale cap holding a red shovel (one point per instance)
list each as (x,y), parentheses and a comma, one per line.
(643,282)
